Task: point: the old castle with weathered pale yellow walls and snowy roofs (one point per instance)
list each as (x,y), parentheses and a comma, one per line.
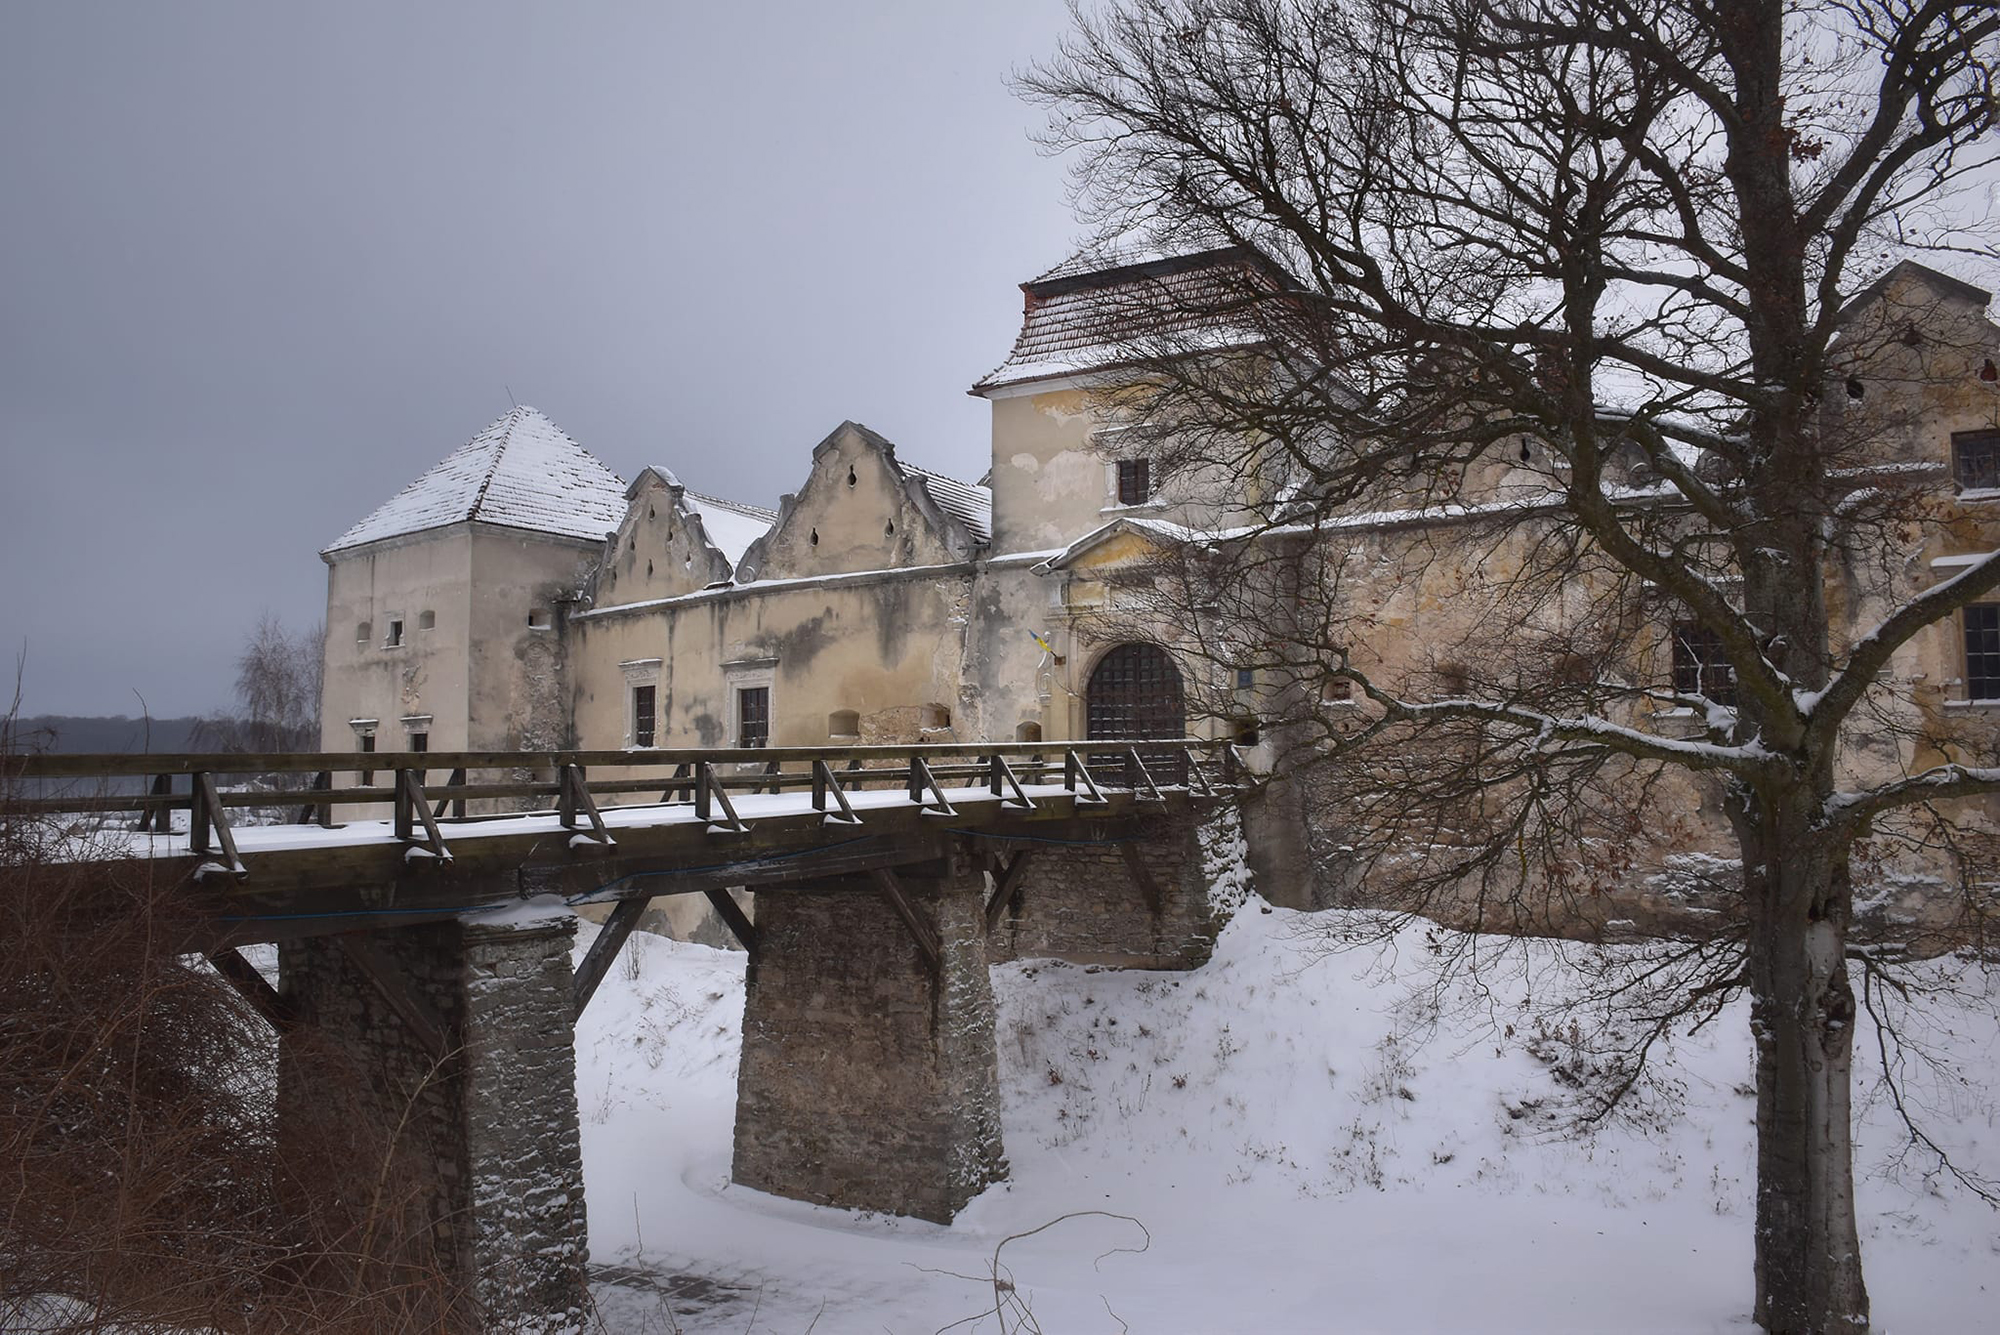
(521,597)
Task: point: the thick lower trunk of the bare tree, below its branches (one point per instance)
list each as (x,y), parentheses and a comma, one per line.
(1809,1264)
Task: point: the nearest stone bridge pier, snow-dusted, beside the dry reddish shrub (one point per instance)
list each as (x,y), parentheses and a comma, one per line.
(435,1080)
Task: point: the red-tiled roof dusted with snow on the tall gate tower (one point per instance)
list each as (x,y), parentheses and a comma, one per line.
(1081,317)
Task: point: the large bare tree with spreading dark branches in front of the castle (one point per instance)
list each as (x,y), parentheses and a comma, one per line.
(1561,307)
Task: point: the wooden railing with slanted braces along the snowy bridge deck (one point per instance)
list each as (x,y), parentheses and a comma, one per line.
(701,778)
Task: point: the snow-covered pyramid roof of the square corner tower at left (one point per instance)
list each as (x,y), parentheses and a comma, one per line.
(519,473)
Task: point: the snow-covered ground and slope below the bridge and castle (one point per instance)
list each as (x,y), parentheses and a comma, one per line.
(1305,1144)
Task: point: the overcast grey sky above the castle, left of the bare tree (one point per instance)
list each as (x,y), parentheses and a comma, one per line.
(265,265)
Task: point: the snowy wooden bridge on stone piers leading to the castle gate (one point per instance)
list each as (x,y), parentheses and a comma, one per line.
(431,936)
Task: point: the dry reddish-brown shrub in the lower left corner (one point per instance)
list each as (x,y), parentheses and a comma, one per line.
(143,1178)
